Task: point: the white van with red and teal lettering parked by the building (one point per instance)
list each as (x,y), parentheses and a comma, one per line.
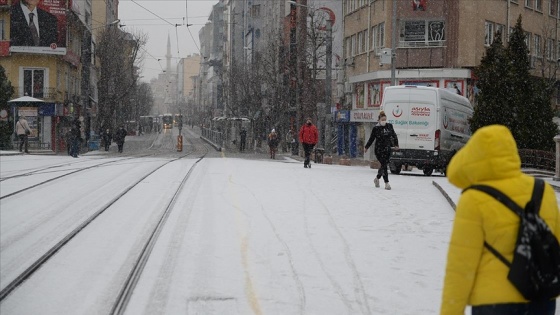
(431,124)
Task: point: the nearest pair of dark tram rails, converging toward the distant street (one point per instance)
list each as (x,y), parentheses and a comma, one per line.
(125,292)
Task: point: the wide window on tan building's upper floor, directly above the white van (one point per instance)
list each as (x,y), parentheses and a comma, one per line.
(420,33)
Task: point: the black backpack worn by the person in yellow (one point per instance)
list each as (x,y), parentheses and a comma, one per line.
(535,269)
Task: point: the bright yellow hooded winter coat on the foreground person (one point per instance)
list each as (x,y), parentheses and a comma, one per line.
(474,276)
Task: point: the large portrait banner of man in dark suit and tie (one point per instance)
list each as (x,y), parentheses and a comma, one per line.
(38,26)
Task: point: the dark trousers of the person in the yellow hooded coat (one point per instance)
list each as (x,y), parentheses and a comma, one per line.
(533,308)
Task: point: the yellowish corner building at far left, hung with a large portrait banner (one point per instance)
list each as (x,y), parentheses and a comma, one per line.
(46,67)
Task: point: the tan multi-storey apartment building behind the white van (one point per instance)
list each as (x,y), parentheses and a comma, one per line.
(436,43)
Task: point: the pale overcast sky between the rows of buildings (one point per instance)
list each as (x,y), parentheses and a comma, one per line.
(157,19)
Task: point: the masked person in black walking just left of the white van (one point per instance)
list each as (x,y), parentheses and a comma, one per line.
(385,138)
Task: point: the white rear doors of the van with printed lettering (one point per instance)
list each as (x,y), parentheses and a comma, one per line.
(412,111)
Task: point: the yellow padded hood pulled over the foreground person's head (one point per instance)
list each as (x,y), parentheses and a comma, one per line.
(490,154)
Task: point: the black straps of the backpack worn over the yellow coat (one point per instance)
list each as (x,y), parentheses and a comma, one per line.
(536,200)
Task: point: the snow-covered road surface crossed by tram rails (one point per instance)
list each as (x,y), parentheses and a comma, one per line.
(243,237)
